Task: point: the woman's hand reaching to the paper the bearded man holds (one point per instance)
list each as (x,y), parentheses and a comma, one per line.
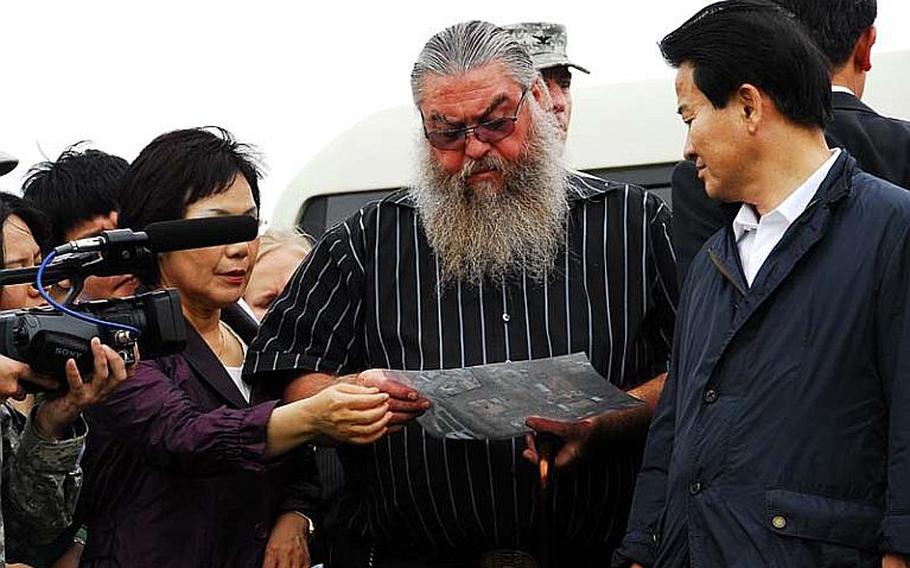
(350,413)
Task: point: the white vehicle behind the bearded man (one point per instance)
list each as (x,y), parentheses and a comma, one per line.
(627,132)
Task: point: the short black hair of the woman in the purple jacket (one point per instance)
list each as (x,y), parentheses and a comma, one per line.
(178,169)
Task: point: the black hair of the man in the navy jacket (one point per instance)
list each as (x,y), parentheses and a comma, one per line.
(758,42)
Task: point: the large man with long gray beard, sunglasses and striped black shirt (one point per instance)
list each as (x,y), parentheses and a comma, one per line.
(497,253)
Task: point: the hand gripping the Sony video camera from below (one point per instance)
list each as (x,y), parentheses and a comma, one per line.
(55,415)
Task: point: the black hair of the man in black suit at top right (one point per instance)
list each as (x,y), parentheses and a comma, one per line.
(834,25)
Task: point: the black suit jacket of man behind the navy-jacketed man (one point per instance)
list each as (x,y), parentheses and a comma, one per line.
(880,145)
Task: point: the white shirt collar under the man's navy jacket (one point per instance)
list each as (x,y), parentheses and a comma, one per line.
(756,238)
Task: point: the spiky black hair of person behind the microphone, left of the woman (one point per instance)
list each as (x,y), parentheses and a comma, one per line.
(79,186)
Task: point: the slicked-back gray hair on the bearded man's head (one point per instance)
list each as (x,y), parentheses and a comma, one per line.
(469,45)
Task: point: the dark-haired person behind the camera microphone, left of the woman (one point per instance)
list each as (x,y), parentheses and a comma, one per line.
(77,193)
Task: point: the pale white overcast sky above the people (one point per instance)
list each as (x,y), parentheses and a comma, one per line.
(287,77)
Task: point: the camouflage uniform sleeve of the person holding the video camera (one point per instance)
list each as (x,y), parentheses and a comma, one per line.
(41,483)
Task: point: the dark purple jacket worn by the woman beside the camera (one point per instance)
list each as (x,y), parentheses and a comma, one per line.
(176,470)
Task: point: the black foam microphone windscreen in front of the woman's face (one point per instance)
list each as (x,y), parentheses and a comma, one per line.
(182,234)
